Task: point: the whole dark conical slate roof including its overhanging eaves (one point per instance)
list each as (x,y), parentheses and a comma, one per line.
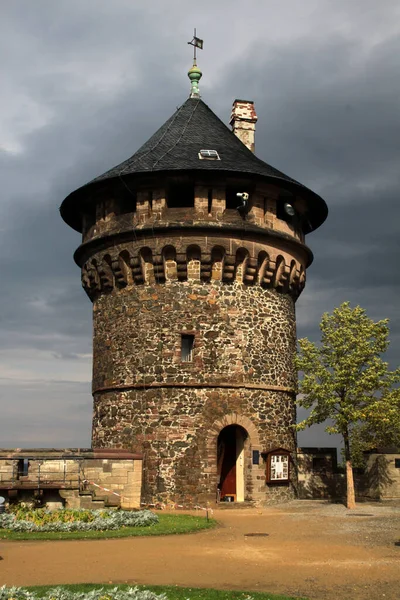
(176,146)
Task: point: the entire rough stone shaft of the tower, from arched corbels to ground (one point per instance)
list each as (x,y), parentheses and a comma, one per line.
(147,398)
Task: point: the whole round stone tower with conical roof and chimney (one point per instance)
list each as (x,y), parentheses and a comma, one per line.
(193,255)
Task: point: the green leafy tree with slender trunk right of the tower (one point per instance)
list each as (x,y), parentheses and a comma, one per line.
(345,380)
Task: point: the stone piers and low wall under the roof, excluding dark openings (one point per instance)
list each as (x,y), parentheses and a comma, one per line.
(114,212)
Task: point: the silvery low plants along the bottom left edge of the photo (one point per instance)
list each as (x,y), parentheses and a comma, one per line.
(59,593)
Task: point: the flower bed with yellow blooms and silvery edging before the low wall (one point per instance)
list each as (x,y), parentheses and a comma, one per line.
(22,519)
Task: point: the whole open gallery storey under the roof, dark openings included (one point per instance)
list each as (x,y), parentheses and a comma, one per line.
(182,203)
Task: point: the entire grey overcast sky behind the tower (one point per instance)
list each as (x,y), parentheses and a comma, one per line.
(85,82)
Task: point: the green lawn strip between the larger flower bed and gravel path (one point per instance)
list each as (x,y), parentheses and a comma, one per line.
(169,524)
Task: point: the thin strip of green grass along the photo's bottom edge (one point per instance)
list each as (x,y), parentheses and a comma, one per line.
(176,593)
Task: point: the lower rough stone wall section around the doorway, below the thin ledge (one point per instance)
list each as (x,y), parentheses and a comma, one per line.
(172,428)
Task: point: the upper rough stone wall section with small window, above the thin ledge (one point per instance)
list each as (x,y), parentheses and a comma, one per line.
(242,335)
